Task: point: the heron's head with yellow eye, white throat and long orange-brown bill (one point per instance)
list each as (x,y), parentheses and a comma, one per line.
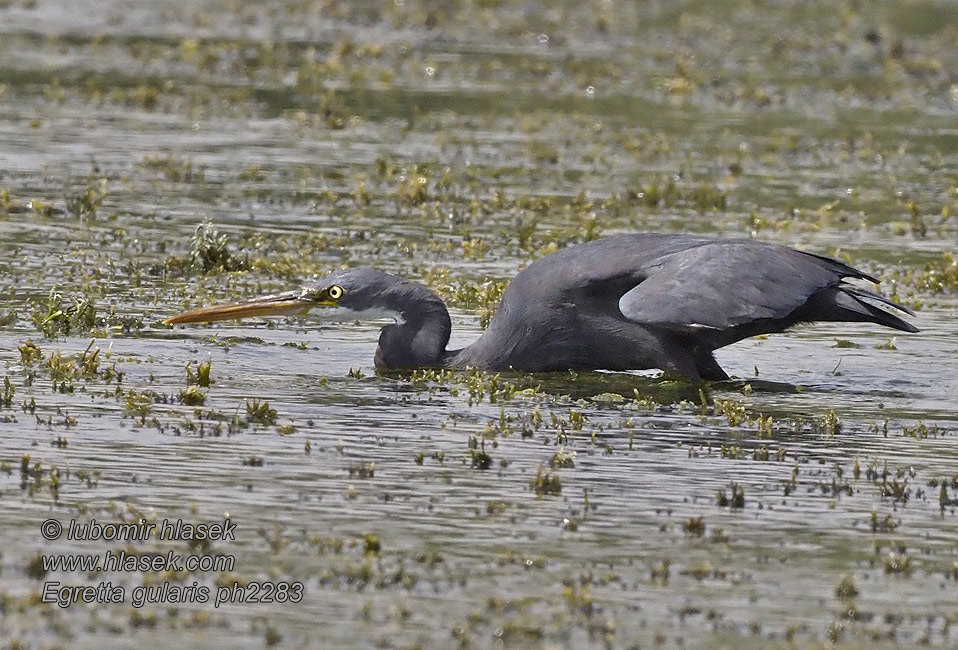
(351,294)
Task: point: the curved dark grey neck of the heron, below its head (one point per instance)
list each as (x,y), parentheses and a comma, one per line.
(419,341)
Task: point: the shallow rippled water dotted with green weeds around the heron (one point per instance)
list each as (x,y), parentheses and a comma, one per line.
(453,145)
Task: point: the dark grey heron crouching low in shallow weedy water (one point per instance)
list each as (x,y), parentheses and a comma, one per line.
(629,302)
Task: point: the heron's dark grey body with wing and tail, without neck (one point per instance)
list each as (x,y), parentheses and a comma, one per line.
(664,301)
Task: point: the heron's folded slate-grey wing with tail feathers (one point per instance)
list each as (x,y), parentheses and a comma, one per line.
(724,291)
